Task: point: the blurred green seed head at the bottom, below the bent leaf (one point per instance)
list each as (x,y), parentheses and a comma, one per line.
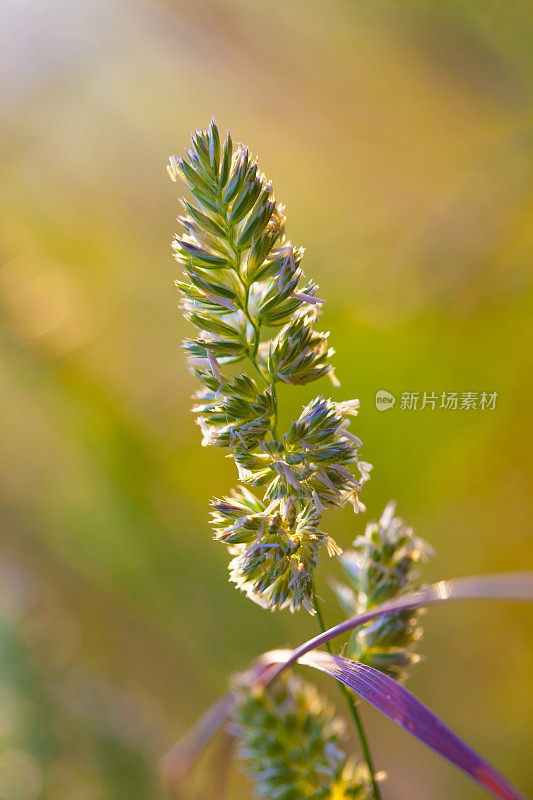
(290,742)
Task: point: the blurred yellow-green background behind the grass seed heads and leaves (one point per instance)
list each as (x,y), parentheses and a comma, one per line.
(399,135)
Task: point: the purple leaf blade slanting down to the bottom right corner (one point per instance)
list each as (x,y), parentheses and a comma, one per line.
(409,713)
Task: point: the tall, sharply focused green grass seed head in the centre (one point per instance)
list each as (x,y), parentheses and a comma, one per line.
(244,290)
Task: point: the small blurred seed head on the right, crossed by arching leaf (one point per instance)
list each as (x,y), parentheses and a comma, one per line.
(383,565)
